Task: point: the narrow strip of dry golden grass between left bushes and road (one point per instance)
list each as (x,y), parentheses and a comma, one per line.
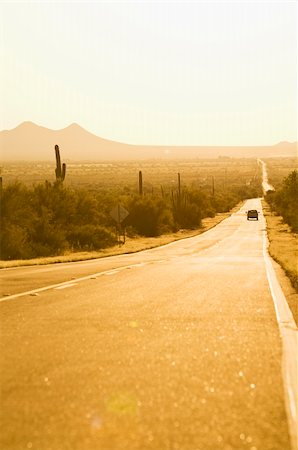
(130,246)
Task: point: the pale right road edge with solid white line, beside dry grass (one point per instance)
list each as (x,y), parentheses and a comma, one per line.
(289,335)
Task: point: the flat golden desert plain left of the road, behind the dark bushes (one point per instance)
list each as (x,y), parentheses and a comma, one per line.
(114,175)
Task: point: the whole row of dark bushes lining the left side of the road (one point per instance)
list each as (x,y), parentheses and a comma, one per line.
(53,218)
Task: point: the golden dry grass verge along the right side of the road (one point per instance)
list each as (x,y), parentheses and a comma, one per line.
(283,247)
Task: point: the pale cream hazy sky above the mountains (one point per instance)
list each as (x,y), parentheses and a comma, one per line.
(155,72)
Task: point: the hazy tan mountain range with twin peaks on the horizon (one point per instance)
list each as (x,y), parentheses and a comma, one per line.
(29,142)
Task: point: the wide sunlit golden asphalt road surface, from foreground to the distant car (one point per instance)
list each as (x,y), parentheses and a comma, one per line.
(174,348)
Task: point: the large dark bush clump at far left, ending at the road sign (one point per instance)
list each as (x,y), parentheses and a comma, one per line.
(48,219)
